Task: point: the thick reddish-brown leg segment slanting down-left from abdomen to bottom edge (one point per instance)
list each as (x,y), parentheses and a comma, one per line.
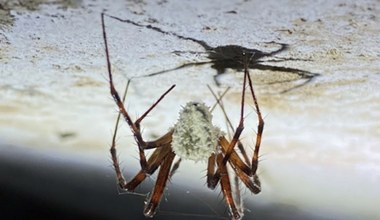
(162,178)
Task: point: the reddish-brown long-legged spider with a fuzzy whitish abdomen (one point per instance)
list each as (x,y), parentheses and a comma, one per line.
(193,137)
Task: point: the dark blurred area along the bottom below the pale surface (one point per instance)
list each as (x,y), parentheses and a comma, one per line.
(51,186)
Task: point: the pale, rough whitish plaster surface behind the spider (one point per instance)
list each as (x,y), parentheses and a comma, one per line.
(320,150)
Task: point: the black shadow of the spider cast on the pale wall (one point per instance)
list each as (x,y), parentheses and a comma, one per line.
(226,57)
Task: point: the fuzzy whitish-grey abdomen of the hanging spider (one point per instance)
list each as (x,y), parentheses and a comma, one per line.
(194,136)
